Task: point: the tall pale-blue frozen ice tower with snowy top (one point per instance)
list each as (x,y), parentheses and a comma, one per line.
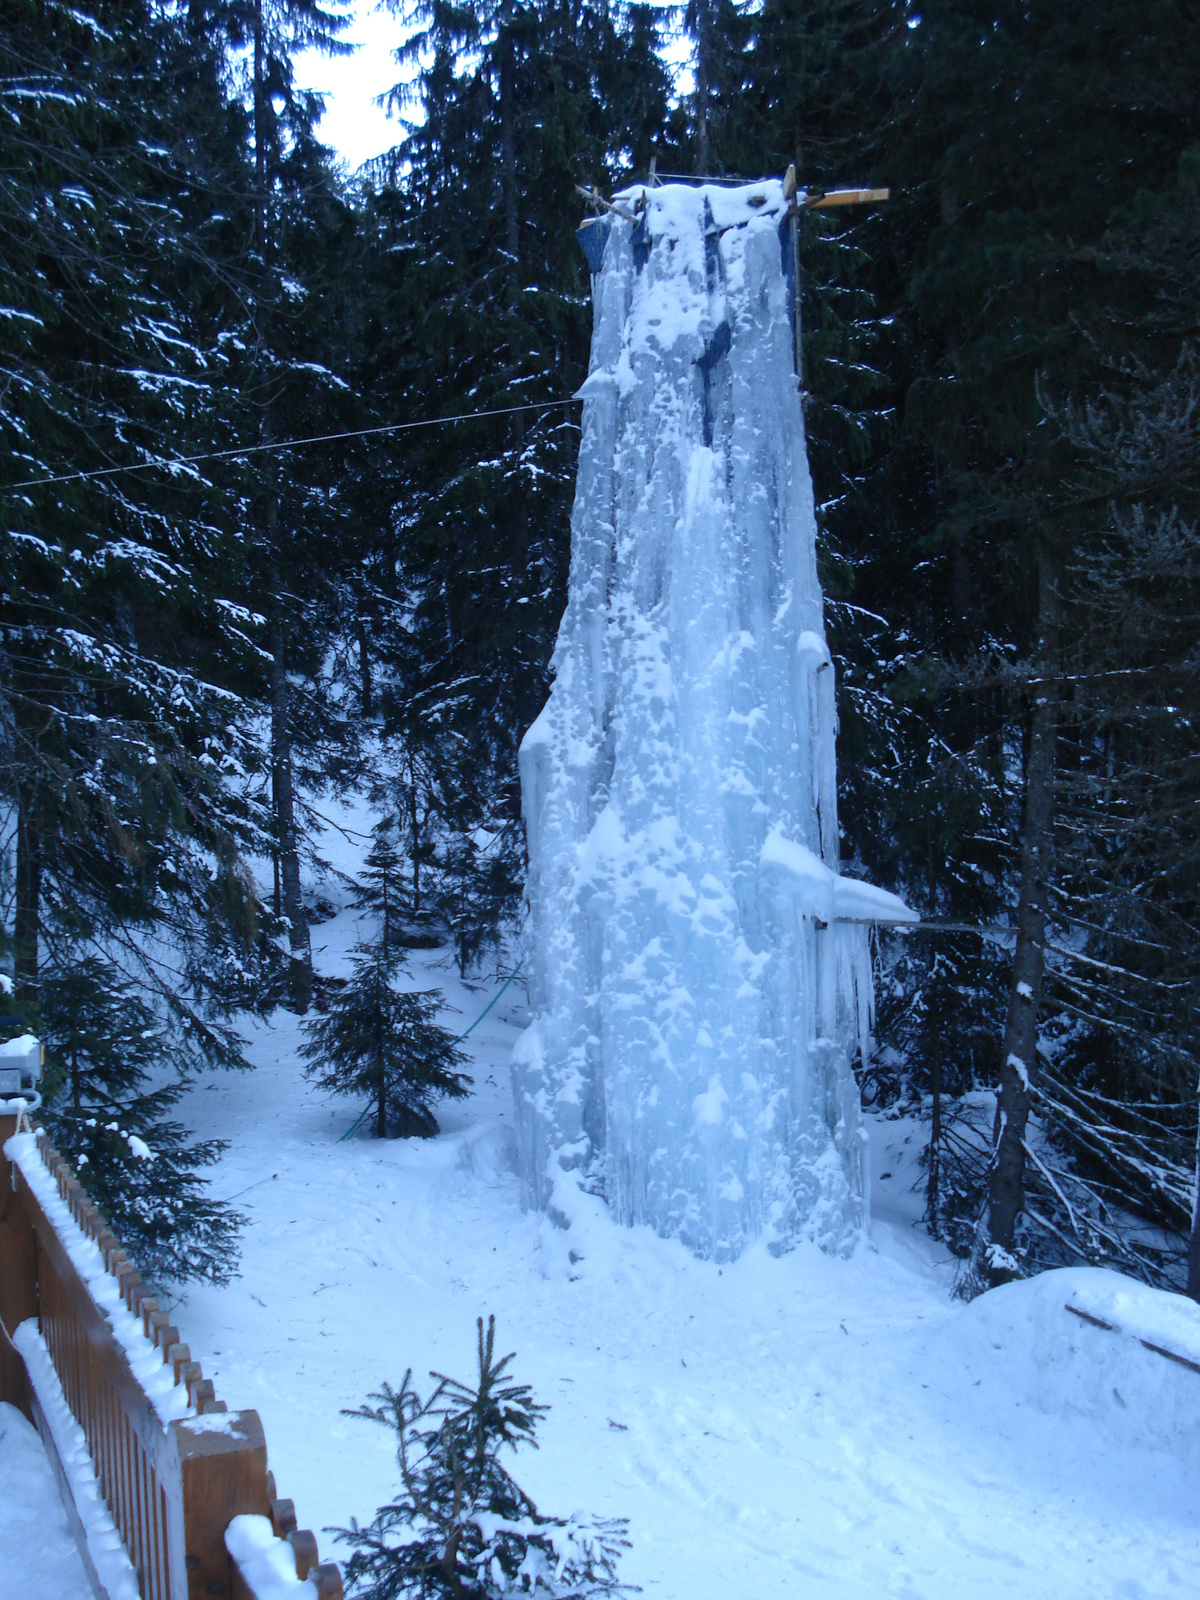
(702,970)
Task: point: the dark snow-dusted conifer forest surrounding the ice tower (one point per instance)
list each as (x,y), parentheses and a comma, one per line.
(202,634)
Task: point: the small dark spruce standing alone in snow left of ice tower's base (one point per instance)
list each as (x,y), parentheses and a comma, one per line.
(386,1046)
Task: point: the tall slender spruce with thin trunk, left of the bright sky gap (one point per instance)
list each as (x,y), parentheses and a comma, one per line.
(297,228)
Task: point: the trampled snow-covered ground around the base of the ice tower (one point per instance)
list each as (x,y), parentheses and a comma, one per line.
(777,1428)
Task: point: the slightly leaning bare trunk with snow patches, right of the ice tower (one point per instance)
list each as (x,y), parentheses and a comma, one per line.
(1018,1065)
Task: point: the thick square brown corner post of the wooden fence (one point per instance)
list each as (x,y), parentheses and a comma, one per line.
(223,1473)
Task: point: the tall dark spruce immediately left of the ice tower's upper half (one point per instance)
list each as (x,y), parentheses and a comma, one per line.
(478,298)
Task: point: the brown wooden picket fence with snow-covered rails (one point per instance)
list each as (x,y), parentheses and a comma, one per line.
(167,1490)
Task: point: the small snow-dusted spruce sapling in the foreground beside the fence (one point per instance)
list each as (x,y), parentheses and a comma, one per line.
(462,1529)
